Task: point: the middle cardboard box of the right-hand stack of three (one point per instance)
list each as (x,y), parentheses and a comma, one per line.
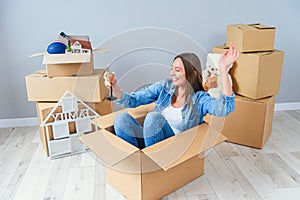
(256,75)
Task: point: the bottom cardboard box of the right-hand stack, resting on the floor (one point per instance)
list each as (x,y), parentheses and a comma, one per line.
(251,121)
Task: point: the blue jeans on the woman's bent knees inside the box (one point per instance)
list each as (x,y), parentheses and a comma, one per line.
(155,129)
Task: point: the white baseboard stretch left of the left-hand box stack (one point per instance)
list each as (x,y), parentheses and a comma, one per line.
(18,122)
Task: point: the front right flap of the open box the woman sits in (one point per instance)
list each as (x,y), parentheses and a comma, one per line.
(177,149)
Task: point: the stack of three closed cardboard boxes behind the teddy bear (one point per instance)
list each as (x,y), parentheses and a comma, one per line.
(256,79)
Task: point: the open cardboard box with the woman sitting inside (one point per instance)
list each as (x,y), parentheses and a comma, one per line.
(155,171)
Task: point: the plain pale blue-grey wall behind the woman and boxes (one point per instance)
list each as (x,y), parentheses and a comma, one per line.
(28,26)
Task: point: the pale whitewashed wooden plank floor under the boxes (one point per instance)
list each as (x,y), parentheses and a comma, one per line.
(231,171)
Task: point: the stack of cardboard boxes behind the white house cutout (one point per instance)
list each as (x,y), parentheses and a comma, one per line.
(72,72)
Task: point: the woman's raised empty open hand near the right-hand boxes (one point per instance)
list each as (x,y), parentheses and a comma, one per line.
(228,57)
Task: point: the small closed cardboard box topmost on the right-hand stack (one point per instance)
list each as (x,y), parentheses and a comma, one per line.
(251,37)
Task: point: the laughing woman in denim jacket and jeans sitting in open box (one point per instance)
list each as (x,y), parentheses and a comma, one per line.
(181,102)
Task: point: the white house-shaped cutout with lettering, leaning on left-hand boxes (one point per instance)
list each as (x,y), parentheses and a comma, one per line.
(74,112)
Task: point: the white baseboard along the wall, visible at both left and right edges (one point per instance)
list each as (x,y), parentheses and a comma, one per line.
(33,121)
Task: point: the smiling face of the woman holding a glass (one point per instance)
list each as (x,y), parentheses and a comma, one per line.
(178,73)
